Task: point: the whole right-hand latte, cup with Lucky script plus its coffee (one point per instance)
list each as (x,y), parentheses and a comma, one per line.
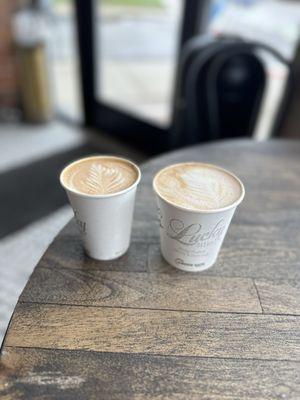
(195,203)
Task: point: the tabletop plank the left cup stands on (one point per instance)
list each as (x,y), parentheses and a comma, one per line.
(67,252)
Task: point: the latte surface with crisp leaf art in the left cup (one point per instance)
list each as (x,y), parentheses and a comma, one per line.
(100,175)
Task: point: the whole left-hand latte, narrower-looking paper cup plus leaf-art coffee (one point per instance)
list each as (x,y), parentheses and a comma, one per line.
(101,190)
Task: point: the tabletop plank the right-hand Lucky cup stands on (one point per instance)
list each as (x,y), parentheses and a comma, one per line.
(248,251)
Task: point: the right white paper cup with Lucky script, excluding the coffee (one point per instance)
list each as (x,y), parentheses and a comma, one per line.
(191,239)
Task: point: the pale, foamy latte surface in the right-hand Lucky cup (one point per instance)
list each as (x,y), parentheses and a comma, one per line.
(198,186)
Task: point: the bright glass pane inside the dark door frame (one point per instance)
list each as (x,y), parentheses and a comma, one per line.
(136,46)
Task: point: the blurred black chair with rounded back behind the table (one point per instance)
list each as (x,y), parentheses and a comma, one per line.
(219,90)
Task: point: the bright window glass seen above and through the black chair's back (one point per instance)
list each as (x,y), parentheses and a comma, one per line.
(272,22)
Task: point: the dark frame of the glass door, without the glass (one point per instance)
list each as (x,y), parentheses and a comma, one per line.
(104,117)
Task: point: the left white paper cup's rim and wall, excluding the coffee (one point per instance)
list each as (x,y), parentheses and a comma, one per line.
(104,221)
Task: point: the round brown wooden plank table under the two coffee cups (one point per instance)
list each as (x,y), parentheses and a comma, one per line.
(135,328)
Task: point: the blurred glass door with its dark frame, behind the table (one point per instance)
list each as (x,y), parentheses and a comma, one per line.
(129,51)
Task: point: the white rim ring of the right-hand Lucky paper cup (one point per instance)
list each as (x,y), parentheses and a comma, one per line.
(199,211)
